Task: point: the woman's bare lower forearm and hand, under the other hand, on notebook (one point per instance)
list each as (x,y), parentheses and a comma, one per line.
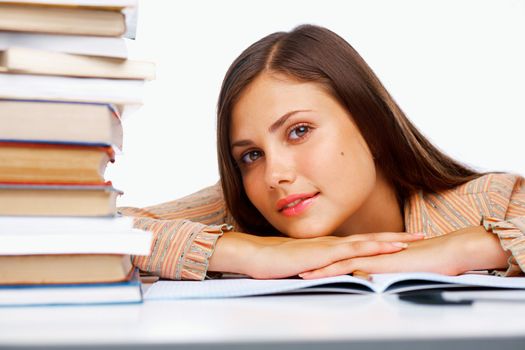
(468,249)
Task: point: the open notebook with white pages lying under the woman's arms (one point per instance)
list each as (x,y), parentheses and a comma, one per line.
(381,283)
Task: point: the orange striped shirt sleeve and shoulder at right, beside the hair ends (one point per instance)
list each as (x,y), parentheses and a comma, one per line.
(495,200)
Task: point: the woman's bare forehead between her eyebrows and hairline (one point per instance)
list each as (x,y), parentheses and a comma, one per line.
(270,96)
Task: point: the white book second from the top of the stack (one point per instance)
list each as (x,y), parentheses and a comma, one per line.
(73,44)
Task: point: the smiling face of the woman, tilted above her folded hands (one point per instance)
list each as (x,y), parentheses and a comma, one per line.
(304,164)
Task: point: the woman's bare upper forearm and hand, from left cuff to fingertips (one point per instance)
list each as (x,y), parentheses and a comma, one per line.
(279,257)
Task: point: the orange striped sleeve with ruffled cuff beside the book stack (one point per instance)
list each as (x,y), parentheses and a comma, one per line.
(185,232)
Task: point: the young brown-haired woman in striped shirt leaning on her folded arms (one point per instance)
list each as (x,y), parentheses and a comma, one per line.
(322,174)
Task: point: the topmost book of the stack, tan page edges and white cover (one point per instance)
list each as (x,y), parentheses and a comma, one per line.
(113,18)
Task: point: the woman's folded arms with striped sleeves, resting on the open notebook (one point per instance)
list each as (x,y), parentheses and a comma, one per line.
(190,240)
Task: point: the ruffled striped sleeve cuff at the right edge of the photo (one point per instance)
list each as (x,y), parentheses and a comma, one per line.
(511,234)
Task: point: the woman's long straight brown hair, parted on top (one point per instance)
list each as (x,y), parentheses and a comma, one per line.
(315,54)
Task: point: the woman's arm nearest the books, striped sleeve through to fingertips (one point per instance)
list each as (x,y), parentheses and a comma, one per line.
(187,242)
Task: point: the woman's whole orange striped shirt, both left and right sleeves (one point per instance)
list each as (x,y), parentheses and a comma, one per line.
(186,230)
